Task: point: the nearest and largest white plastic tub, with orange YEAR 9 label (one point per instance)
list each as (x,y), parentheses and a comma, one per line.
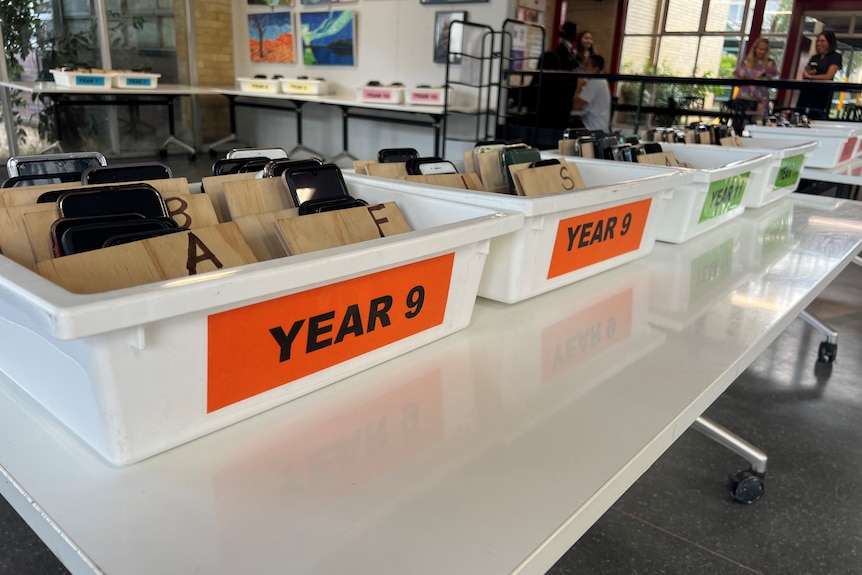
(137,371)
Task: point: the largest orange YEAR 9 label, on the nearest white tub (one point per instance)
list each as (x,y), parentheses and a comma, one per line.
(265,345)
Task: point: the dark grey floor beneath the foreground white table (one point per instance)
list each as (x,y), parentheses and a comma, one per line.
(679,518)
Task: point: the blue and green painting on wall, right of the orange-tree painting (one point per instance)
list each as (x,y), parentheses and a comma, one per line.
(328,38)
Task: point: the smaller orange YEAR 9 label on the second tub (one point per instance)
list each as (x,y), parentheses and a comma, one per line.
(591,238)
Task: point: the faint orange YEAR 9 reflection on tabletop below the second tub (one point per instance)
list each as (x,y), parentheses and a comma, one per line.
(584,335)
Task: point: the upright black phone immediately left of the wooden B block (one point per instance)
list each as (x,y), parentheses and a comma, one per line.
(134,198)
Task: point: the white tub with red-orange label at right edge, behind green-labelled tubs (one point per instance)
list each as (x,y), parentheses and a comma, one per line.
(839,142)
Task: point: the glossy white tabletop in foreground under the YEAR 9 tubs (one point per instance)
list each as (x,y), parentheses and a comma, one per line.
(489,451)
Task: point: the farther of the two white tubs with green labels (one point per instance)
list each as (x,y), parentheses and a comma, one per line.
(783,172)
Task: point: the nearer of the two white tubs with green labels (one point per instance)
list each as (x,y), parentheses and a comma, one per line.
(722,178)
